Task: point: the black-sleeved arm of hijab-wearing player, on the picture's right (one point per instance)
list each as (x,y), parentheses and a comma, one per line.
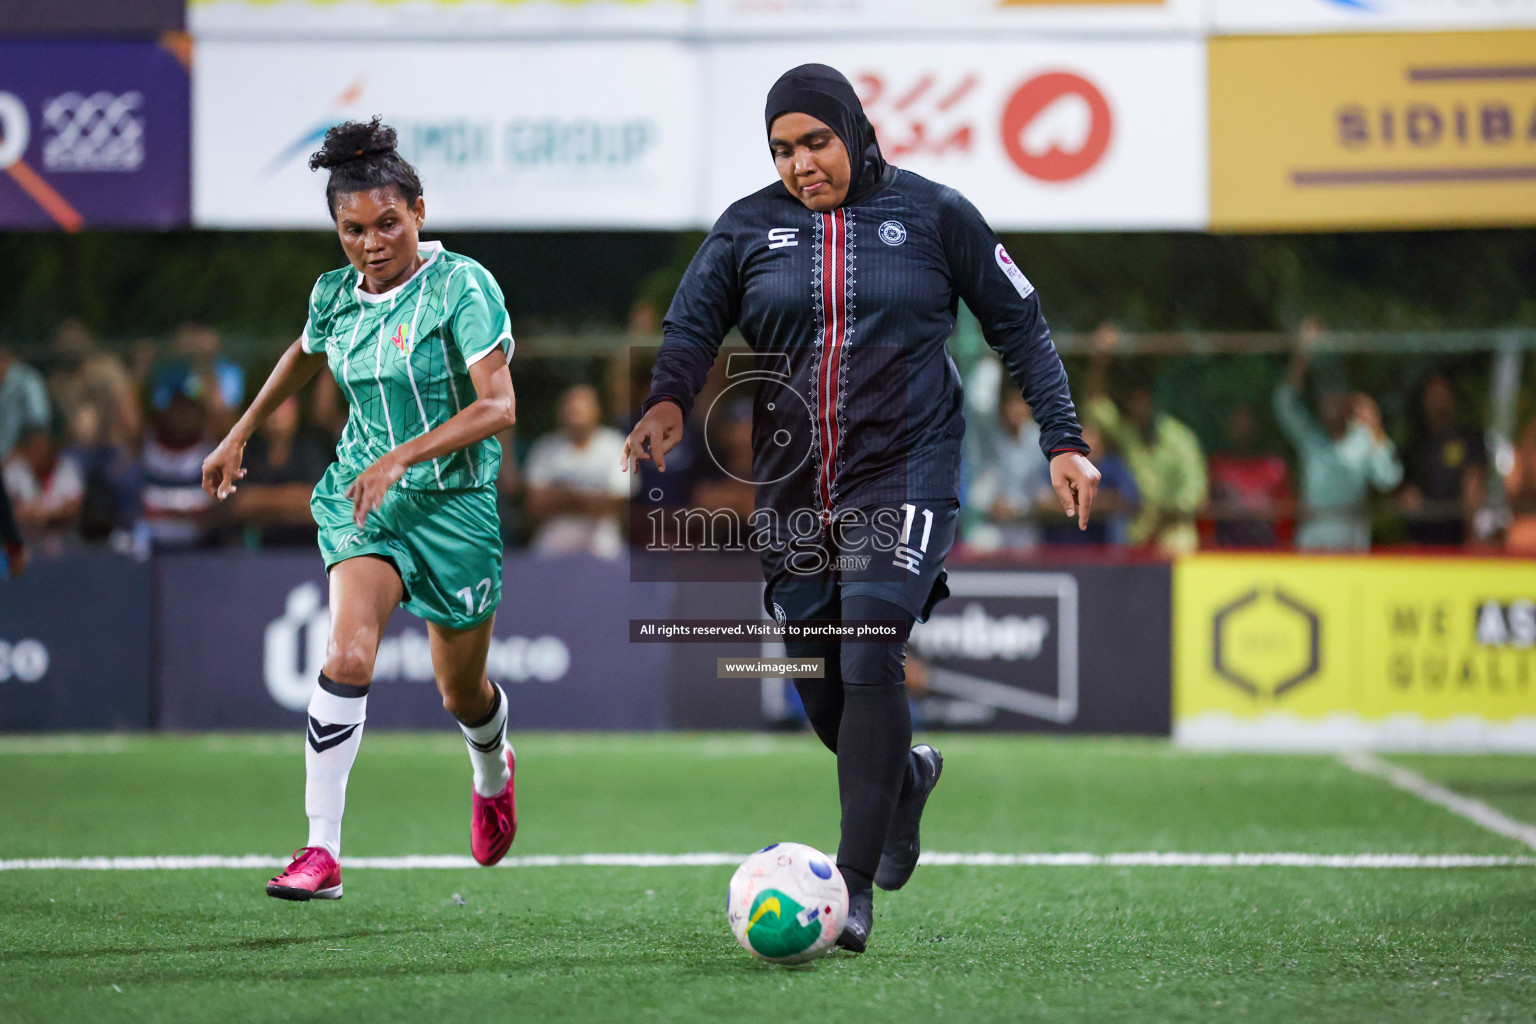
(1008,308)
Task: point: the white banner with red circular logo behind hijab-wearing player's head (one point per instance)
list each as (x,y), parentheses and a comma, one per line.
(1039,136)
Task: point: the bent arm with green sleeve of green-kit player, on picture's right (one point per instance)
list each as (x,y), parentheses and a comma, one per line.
(480,325)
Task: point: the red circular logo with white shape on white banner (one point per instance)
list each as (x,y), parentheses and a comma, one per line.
(1056,127)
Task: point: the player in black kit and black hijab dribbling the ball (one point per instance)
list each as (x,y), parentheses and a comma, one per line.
(847,274)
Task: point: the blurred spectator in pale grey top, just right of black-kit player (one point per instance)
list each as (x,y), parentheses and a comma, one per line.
(1011,480)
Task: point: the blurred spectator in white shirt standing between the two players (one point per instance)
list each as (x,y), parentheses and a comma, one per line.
(577,481)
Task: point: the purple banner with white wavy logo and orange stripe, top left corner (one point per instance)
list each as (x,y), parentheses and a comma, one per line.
(93,136)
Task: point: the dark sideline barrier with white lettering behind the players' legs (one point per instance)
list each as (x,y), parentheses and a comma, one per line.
(239,641)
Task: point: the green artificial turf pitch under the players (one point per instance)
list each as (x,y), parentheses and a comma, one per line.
(1090,943)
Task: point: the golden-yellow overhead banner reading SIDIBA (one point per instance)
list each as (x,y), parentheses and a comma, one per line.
(1374,131)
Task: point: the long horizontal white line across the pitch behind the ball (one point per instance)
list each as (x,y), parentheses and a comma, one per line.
(729,860)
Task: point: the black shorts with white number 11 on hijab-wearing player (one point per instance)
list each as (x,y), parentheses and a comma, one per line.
(890,552)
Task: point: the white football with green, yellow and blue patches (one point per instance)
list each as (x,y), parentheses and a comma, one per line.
(787,903)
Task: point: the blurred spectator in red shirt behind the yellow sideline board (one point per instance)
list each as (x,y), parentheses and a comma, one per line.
(1250,489)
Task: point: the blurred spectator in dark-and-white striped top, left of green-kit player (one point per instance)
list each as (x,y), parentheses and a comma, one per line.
(171,463)
